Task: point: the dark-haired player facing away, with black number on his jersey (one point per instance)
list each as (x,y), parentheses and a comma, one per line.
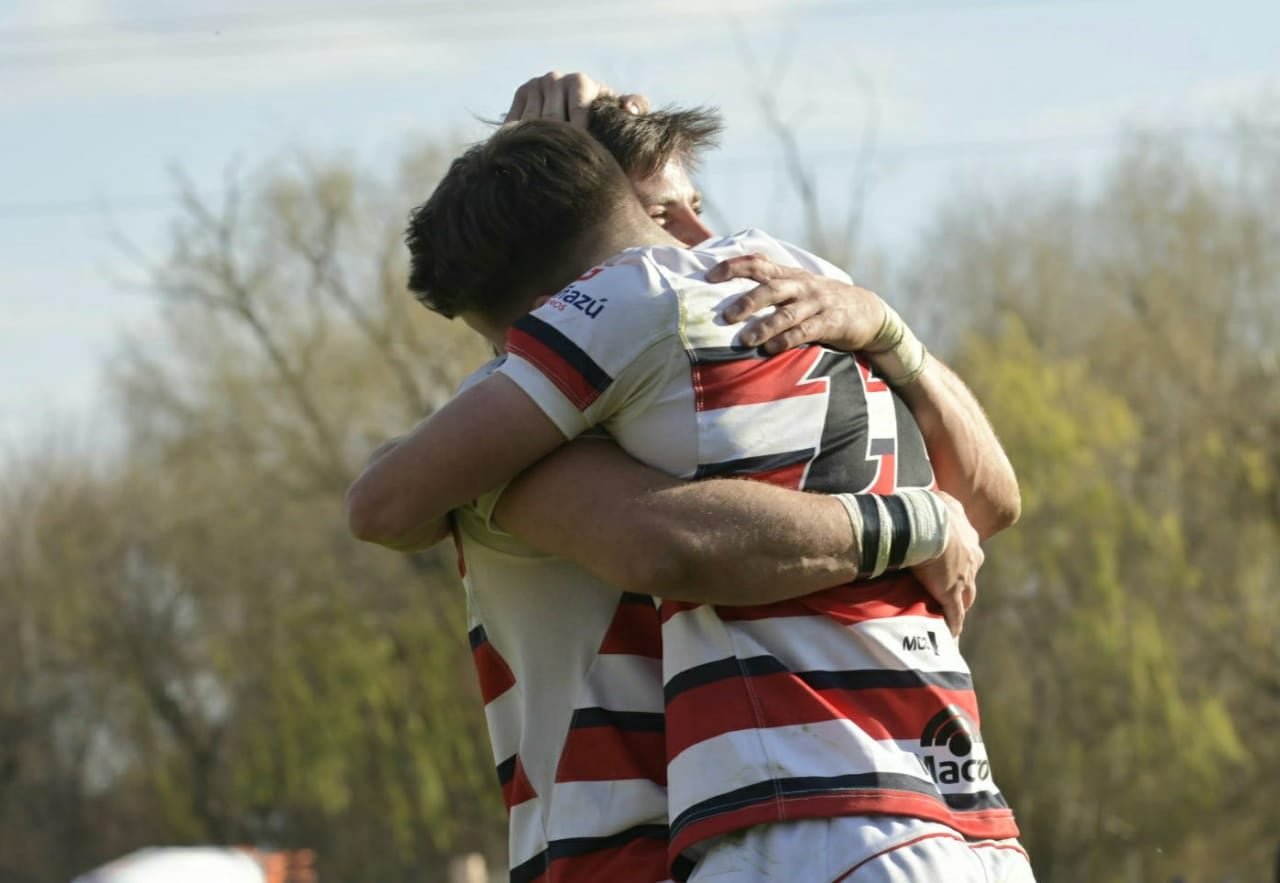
(552,390)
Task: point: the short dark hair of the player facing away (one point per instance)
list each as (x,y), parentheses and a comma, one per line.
(510,218)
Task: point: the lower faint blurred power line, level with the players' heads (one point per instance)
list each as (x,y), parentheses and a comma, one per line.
(908,153)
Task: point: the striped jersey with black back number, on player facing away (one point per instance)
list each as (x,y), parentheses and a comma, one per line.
(849,702)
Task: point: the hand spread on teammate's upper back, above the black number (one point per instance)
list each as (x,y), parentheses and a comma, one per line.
(810,309)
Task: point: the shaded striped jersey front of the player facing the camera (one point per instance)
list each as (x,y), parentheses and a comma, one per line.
(572,678)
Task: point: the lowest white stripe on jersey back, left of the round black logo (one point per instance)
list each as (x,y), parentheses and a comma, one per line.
(737,760)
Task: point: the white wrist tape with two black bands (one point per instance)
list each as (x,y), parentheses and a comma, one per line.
(894,532)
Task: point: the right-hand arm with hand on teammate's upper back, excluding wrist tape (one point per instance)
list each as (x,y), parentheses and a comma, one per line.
(968,459)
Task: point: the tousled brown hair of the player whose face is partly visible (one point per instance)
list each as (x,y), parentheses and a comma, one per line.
(643,144)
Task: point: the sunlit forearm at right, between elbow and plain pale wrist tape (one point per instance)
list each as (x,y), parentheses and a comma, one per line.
(968,459)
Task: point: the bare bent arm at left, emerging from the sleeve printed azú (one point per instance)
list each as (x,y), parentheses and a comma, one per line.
(482,438)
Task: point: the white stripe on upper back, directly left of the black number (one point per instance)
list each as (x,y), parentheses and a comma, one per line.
(760,431)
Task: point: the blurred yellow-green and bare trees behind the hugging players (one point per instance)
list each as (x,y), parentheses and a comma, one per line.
(194,651)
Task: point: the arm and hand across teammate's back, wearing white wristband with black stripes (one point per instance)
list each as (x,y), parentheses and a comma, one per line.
(723,541)
